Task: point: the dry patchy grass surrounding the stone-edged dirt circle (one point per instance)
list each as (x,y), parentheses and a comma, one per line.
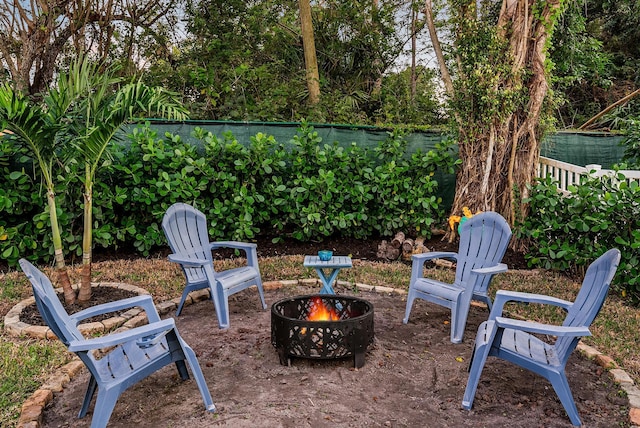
(26,363)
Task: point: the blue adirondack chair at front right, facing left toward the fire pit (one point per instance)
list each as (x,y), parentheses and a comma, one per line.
(514,340)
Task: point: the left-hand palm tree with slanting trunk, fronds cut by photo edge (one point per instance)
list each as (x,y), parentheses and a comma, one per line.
(37,129)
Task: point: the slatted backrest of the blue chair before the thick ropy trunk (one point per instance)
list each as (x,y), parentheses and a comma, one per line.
(483,242)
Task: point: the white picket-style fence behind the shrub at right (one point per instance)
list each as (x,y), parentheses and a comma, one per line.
(567,174)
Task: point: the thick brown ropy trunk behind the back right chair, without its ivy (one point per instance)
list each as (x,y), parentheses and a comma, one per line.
(499,157)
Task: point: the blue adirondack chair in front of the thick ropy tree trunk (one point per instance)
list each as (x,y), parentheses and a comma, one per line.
(483,242)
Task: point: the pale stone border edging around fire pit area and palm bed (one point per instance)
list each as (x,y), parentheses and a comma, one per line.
(32,408)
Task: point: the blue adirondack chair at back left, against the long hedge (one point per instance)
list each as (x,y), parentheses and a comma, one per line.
(186,230)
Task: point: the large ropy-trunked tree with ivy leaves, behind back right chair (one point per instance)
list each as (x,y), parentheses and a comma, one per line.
(497,88)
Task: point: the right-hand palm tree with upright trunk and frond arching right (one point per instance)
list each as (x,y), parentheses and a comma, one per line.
(95,122)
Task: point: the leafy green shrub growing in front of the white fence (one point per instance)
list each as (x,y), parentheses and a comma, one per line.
(567,232)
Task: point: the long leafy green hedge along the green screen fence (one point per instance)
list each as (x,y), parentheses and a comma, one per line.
(306,189)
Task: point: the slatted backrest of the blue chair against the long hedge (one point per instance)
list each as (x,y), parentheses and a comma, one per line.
(187,234)
